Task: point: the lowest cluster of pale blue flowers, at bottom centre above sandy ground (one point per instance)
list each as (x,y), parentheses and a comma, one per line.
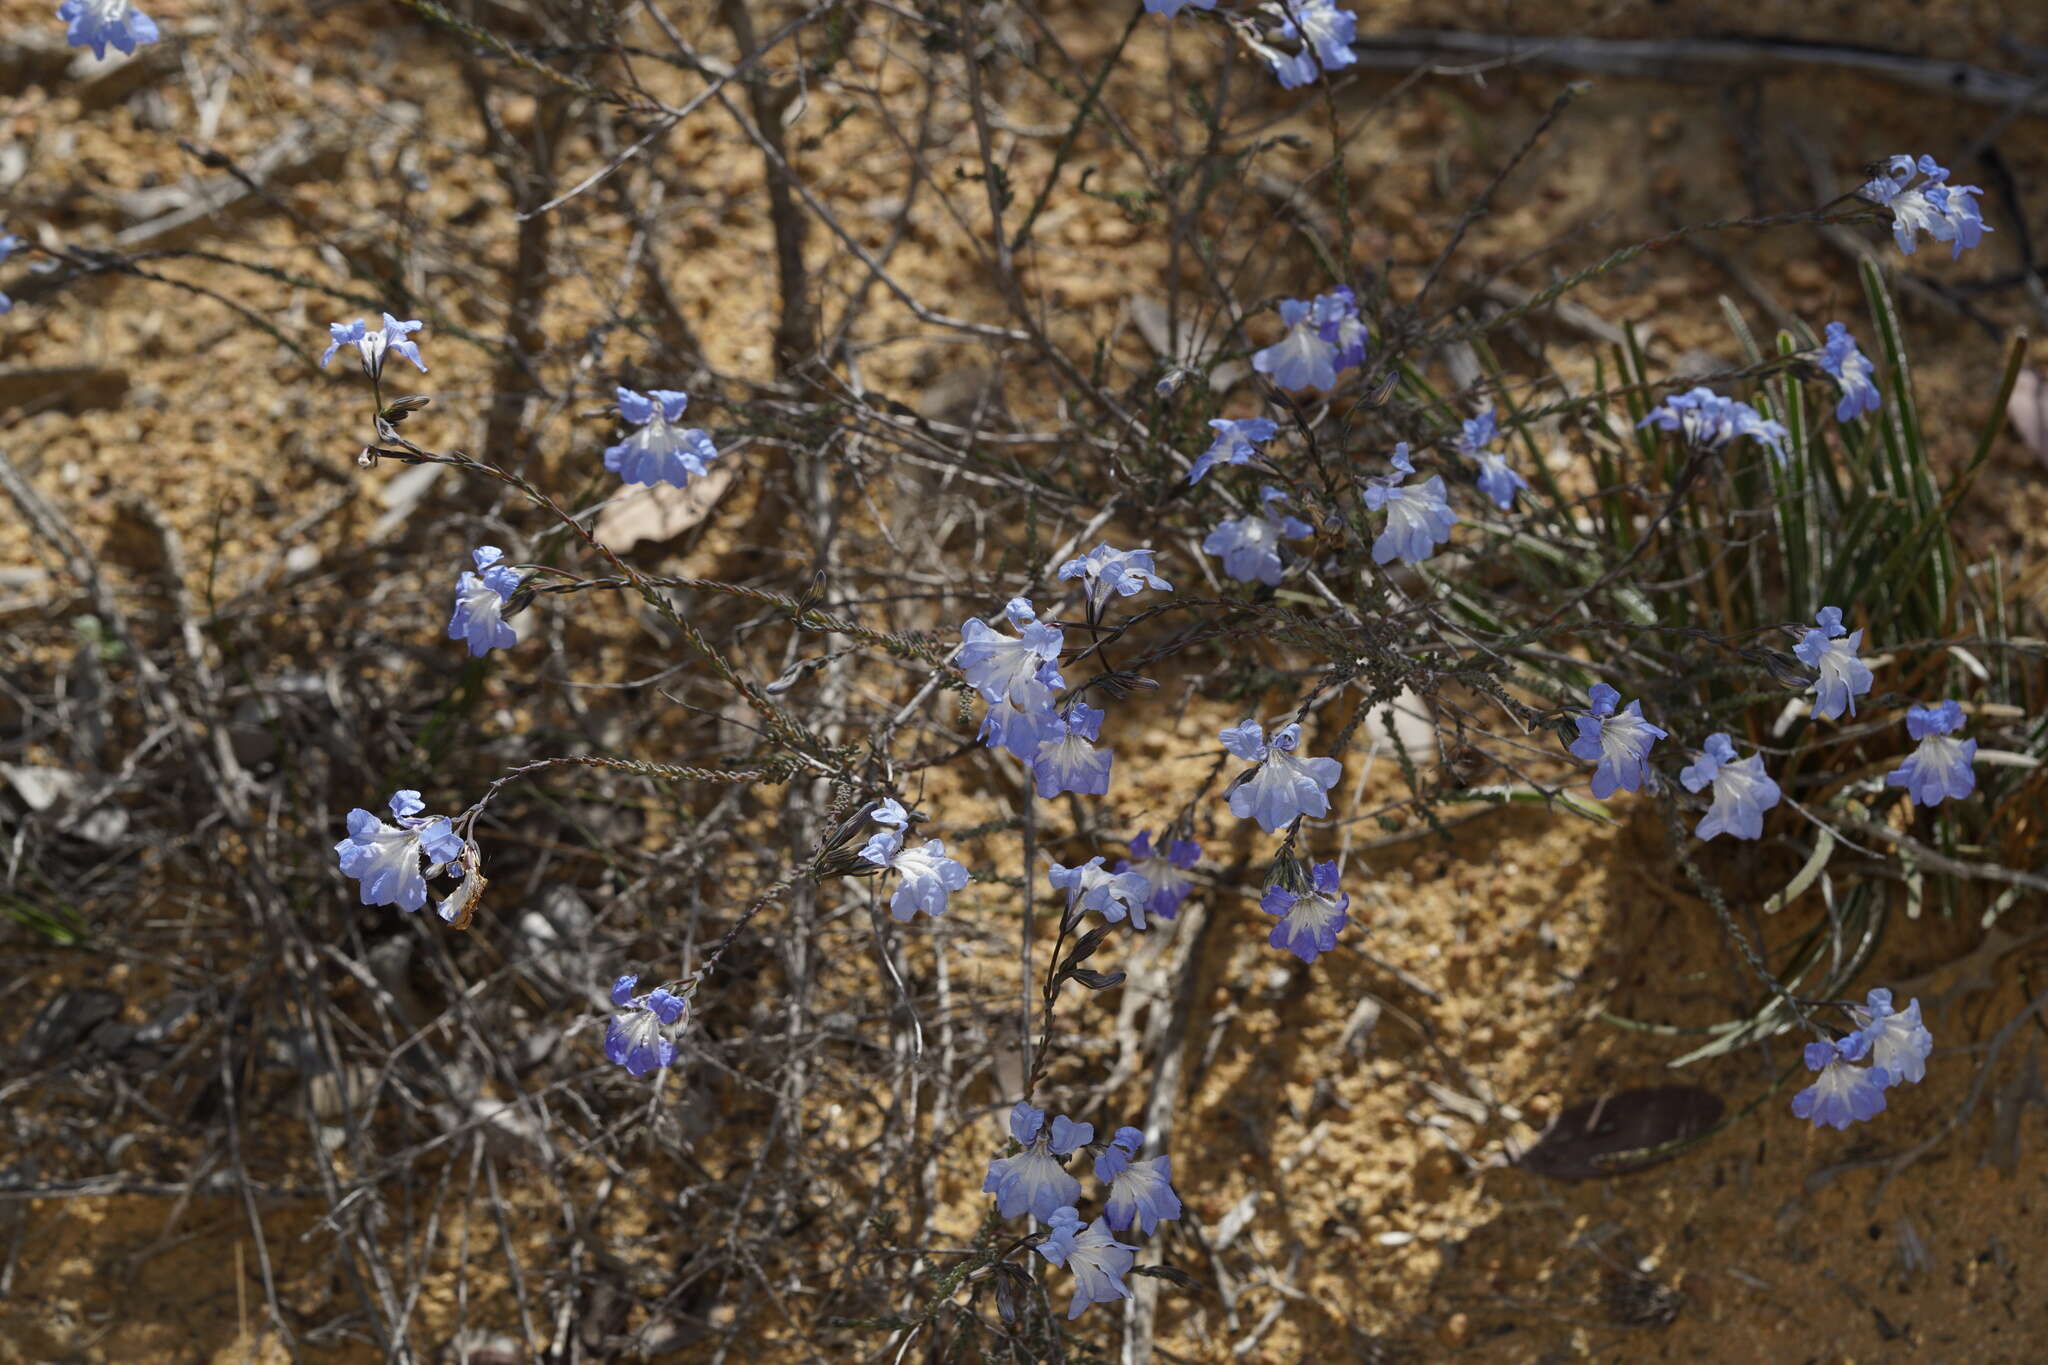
(1035,1182)
